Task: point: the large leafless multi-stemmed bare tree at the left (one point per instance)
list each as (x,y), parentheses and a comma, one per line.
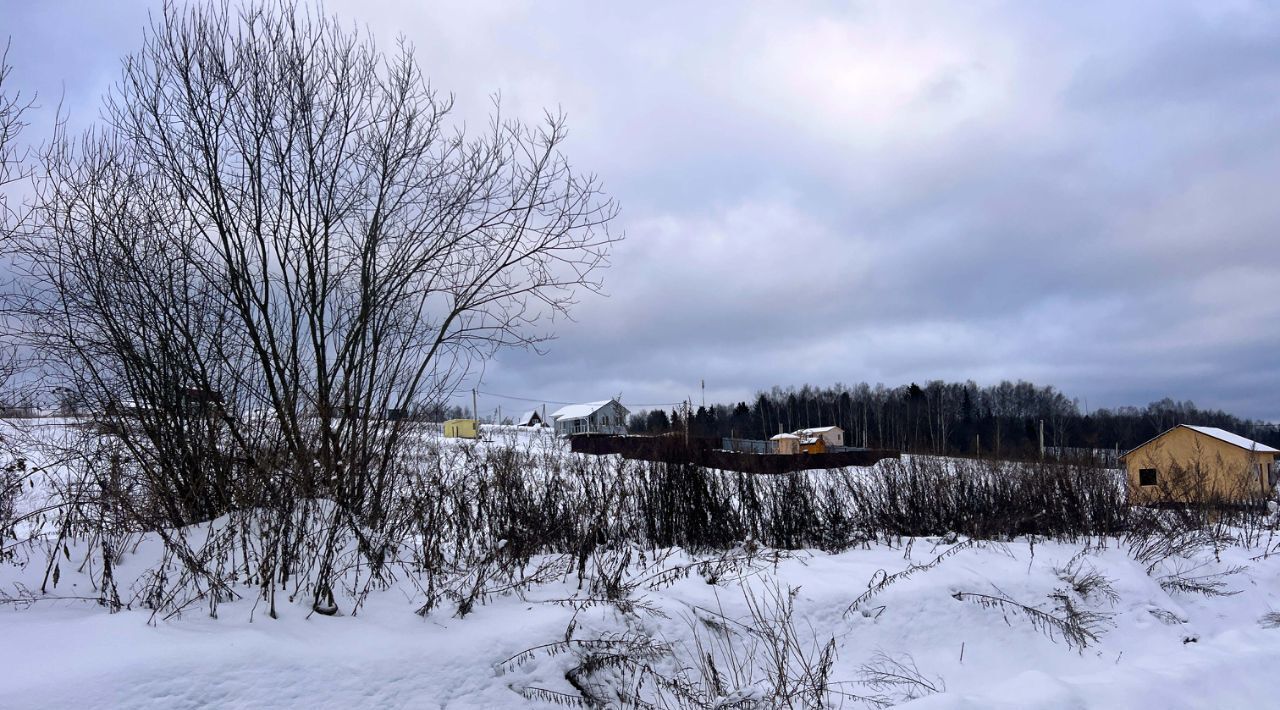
(278,244)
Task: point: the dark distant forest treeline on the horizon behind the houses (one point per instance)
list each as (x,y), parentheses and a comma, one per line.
(947,419)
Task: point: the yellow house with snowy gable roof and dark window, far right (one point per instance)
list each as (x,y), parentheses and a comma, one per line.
(1199,464)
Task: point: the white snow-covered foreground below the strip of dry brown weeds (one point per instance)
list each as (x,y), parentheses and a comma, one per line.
(930,624)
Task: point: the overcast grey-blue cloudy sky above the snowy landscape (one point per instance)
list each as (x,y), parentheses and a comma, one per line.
(1080,195)
